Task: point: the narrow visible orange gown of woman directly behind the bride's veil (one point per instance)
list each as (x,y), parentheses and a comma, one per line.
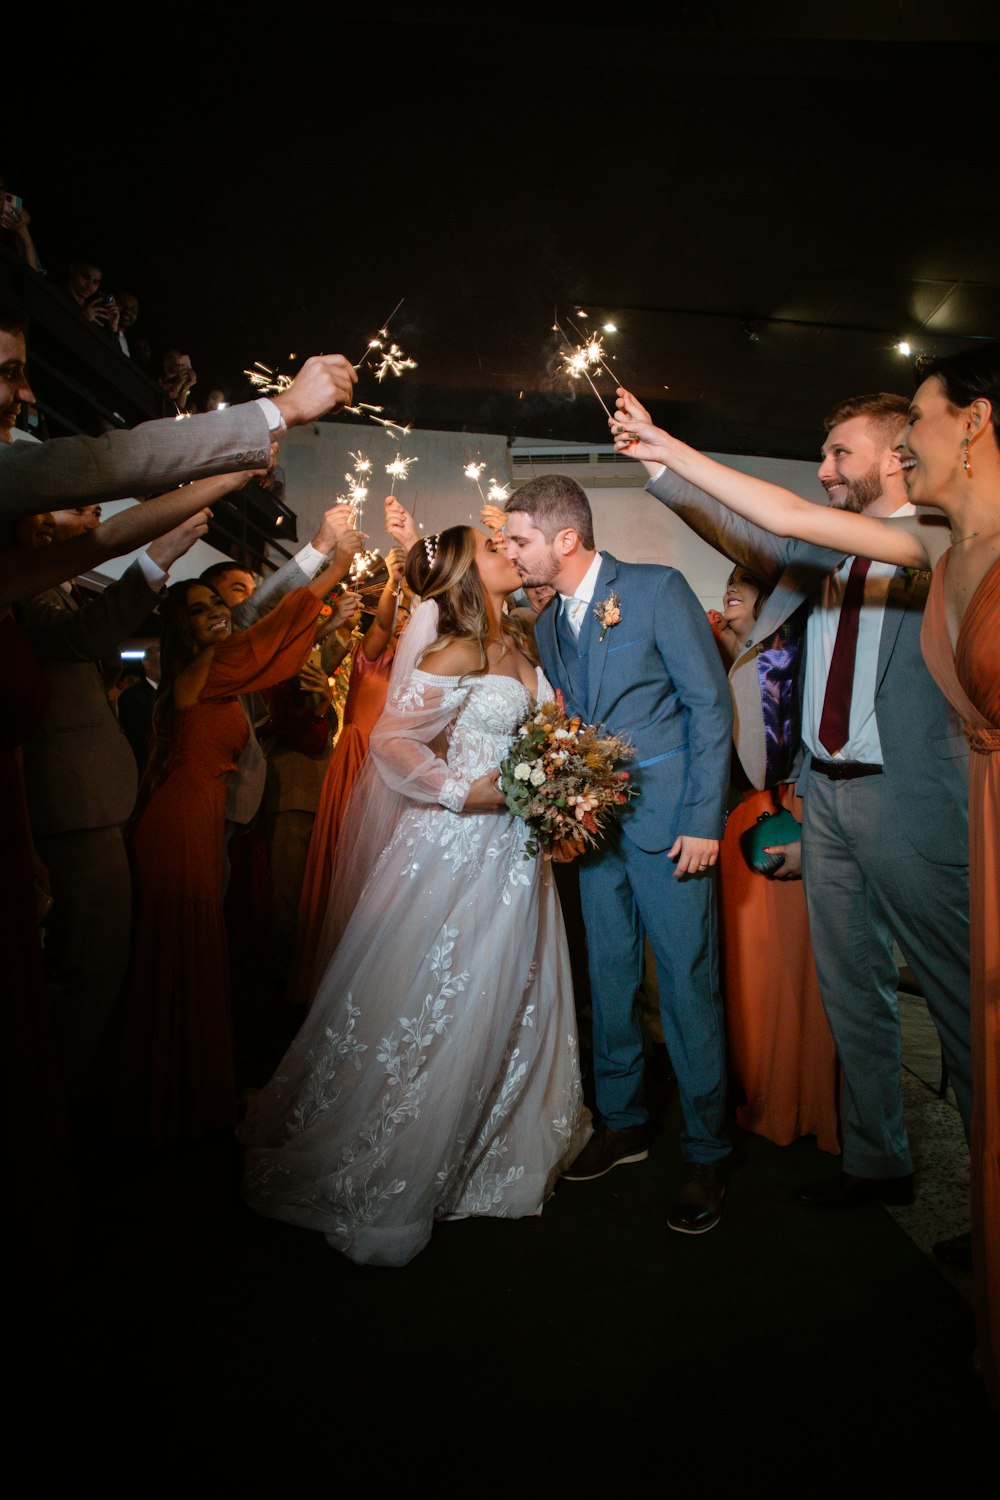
(362,710)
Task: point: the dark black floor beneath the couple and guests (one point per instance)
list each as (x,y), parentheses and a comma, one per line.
(791,1348)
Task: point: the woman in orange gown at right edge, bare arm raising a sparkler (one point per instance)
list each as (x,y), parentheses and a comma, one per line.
(951,460)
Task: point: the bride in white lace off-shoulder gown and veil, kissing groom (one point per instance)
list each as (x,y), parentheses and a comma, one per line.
(437,1072)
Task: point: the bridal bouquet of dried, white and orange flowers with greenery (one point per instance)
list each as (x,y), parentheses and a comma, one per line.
(560,776)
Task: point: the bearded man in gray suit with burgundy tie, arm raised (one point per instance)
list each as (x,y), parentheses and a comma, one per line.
(885,823)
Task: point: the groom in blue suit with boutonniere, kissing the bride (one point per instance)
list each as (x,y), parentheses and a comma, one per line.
(630,649)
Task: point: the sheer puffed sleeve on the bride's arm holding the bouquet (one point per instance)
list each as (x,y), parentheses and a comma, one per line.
(409,743)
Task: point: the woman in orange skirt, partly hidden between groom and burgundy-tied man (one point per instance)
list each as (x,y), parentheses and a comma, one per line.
(782,1055)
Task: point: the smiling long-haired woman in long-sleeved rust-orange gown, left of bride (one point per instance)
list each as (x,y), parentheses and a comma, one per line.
(173,1070)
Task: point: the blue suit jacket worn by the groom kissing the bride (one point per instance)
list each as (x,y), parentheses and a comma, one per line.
(657,679)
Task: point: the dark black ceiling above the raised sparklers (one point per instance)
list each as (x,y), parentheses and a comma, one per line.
(762,200)
